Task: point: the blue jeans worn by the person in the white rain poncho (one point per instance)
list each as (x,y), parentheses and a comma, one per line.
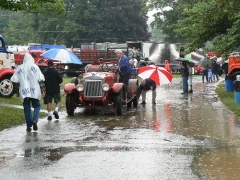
(27,110)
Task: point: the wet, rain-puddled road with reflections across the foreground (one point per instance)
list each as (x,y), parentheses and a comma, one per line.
(180,138)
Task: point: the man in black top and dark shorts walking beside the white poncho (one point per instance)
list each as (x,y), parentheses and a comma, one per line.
(53,79)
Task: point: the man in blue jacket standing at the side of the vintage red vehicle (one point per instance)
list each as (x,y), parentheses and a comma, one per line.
(124,70)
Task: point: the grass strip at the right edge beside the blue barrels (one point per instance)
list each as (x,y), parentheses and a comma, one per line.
(228,99)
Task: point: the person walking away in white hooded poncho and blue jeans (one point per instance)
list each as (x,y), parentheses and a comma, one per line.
(29,85)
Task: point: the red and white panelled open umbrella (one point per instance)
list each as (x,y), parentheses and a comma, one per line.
(159,74)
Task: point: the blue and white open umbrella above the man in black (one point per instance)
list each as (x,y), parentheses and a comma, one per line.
(62,56)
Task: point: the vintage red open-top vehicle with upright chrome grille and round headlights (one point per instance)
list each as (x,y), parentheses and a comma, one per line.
(100,87)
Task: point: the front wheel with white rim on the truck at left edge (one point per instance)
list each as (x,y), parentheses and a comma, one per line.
(6,86)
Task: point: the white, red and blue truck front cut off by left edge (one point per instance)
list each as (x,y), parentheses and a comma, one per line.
(7,67)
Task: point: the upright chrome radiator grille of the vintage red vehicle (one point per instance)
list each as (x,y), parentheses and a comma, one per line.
(93,89)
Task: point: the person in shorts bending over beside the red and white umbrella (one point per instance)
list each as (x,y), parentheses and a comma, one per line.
(147,84)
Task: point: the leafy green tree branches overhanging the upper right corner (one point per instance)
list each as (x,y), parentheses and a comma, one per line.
(199,21)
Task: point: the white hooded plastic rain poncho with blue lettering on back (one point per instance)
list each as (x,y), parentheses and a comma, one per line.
(28,75)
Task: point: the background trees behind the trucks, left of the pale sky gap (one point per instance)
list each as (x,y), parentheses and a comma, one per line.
(81,22)
